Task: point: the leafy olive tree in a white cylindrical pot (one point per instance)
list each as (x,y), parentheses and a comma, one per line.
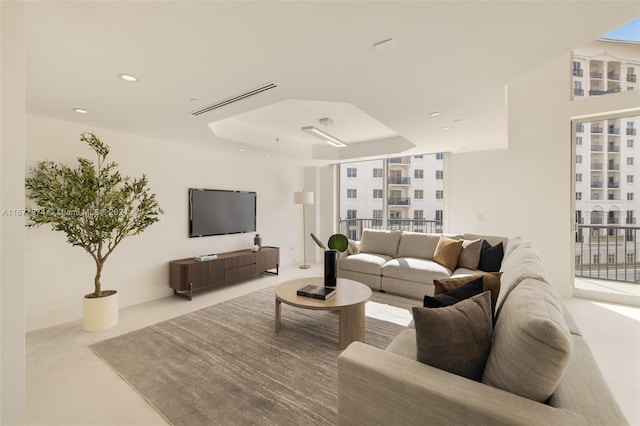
(96,207)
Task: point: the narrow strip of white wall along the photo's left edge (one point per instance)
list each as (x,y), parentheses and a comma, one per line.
(12,290)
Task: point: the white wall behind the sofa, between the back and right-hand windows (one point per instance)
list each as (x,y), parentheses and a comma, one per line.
(526,190)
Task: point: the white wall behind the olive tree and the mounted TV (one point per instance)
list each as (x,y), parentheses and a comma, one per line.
(58,275)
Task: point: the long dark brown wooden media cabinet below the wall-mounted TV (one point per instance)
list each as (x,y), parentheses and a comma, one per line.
(187,275)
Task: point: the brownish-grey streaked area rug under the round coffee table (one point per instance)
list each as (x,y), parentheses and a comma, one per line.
(224,365)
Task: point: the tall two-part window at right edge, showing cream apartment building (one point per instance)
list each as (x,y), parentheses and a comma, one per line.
(606,150)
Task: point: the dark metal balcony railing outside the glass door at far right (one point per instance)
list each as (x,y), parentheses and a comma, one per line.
(608,252)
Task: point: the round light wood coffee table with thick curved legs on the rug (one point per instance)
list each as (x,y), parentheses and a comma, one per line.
(348,301)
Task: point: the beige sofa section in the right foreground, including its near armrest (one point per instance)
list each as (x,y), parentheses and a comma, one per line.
(539,370)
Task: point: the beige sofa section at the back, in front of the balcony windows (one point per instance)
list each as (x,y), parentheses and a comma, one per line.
(402,262)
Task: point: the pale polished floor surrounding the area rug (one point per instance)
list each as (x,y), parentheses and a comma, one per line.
(68,385)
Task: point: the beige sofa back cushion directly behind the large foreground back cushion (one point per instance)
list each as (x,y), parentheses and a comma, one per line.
(524,262)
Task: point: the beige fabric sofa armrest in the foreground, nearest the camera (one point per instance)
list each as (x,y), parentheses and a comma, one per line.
(376,387)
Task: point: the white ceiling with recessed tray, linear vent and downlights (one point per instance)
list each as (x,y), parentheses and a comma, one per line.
(449,56)
